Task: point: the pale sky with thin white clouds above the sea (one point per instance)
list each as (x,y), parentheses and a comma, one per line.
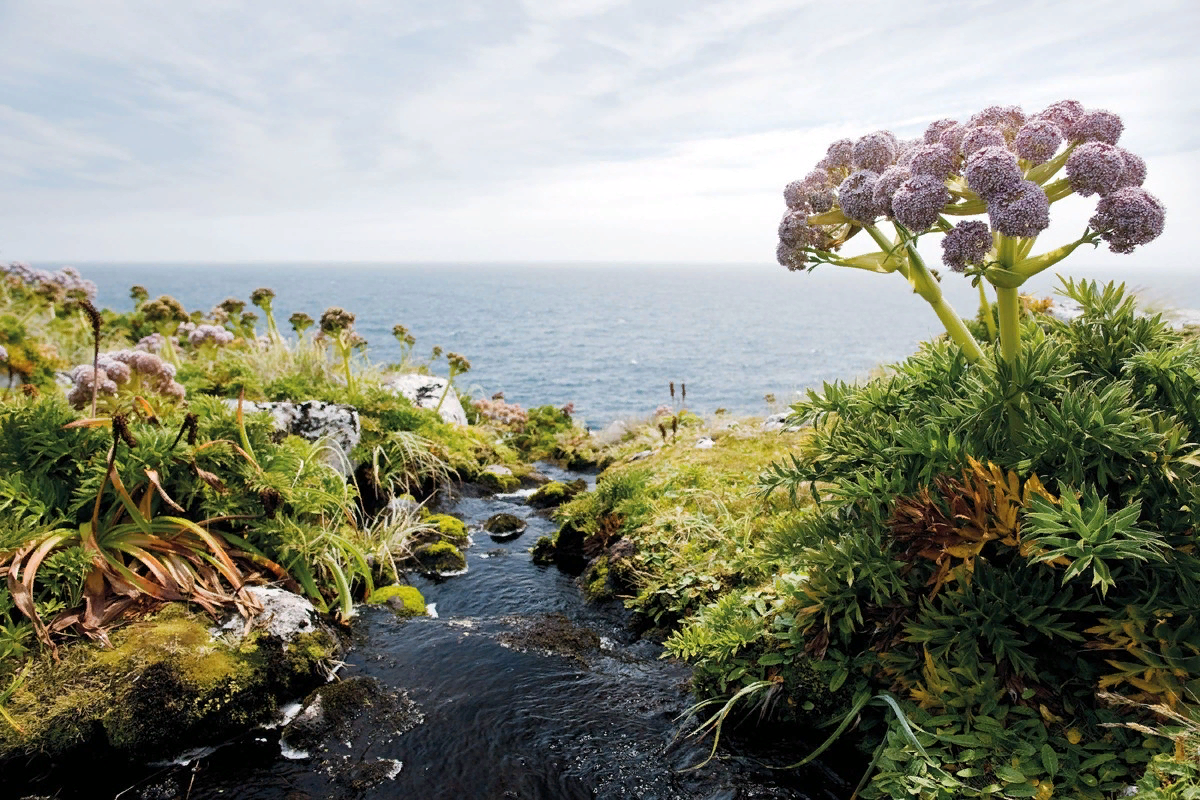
(530,130)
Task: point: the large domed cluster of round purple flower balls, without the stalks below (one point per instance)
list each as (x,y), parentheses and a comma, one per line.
(999,163)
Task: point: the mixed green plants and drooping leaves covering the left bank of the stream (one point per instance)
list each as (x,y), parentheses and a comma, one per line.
(148,480)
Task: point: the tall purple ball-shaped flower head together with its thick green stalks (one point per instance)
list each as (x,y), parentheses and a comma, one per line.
(1000,164)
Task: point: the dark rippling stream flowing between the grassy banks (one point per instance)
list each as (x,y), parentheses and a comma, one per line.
(506,709)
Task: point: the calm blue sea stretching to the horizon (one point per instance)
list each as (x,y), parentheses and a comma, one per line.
(609,339)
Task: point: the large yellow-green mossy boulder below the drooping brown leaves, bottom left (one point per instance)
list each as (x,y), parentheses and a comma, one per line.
(165,685)
